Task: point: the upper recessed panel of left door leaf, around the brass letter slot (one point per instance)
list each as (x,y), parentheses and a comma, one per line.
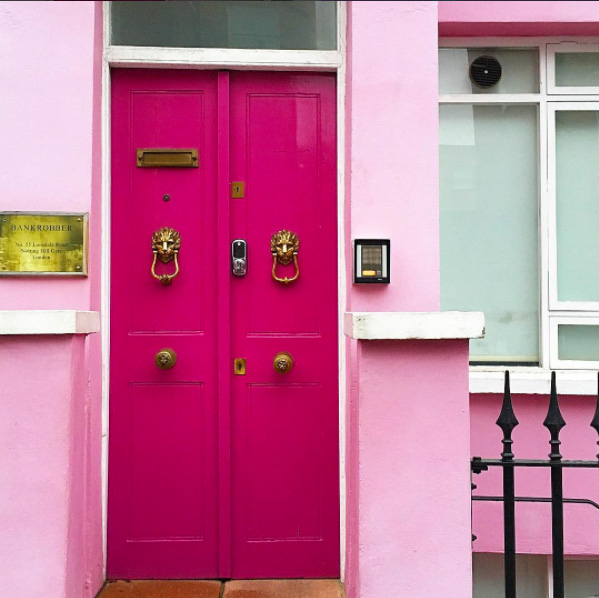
(176,118)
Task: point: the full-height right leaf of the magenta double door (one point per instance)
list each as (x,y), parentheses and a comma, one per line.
(284,427)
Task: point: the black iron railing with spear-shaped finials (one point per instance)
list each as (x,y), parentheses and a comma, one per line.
(554,422)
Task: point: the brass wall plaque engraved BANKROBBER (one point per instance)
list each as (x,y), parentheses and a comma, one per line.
(43,243)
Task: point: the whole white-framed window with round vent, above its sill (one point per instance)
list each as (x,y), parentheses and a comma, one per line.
(519,179)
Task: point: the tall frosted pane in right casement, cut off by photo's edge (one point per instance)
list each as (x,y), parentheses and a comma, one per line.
(577,172)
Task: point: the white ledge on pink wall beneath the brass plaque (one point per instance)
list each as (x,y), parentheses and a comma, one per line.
(34,321)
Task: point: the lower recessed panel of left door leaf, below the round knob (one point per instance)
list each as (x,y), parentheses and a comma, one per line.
(156,410)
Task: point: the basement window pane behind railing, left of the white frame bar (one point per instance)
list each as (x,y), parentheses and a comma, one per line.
(487,573)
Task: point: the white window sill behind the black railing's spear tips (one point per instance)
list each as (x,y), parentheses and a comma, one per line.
(532,380)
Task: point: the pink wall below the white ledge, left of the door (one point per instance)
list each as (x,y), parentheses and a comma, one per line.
(41,545)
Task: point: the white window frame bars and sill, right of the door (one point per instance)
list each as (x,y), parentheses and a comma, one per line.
(574,377)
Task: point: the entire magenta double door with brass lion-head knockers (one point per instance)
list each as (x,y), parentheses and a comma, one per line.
(221,468)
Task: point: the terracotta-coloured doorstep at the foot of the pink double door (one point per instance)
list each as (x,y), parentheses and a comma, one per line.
(264,588)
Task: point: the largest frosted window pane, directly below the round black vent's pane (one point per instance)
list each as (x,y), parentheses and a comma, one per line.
(489,225)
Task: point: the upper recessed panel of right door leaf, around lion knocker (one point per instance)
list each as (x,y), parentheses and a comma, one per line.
(282,171)
